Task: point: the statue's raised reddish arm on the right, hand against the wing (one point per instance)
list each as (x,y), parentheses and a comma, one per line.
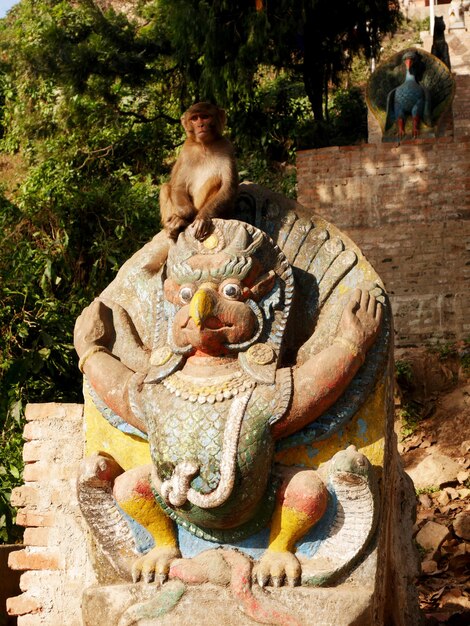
(320,381)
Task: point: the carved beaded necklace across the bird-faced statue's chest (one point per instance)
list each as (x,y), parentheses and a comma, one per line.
(216,389)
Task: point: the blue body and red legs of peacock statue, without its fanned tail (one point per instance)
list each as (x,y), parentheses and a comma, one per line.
(409,98)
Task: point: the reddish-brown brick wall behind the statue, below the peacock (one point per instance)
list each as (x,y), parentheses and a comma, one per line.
(407,207)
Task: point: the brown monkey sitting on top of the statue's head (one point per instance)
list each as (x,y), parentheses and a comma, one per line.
(204,179)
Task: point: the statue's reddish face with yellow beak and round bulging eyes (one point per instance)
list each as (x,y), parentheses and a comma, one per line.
(212,316)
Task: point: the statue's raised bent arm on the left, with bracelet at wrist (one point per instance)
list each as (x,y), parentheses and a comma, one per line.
(110,378)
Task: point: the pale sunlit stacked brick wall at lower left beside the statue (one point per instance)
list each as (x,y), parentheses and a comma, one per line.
(54,561)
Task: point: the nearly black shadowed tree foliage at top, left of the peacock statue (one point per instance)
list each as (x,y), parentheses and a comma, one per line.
(320,39)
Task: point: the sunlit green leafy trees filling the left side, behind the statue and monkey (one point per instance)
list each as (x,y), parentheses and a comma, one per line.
(81,101)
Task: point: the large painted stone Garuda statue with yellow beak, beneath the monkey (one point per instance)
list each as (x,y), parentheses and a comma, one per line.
(235,394)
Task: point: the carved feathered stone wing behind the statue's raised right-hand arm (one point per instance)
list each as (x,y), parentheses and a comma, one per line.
(327,267)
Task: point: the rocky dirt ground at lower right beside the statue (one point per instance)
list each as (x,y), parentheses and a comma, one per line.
(433,427)
